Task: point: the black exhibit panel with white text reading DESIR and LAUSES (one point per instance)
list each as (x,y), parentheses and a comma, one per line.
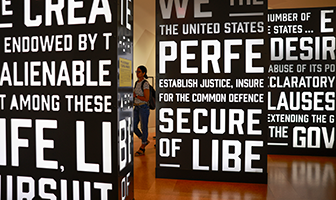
(301,106)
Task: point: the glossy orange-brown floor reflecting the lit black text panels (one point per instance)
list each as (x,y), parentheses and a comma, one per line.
(289,178)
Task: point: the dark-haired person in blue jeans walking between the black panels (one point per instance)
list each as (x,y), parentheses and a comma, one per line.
(141,109)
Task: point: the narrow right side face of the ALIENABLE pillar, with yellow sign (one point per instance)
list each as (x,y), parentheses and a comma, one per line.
(125,100)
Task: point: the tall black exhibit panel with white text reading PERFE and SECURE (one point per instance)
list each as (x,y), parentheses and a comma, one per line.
(212,60)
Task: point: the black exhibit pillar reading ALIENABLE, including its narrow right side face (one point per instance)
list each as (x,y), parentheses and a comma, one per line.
(66,99)
